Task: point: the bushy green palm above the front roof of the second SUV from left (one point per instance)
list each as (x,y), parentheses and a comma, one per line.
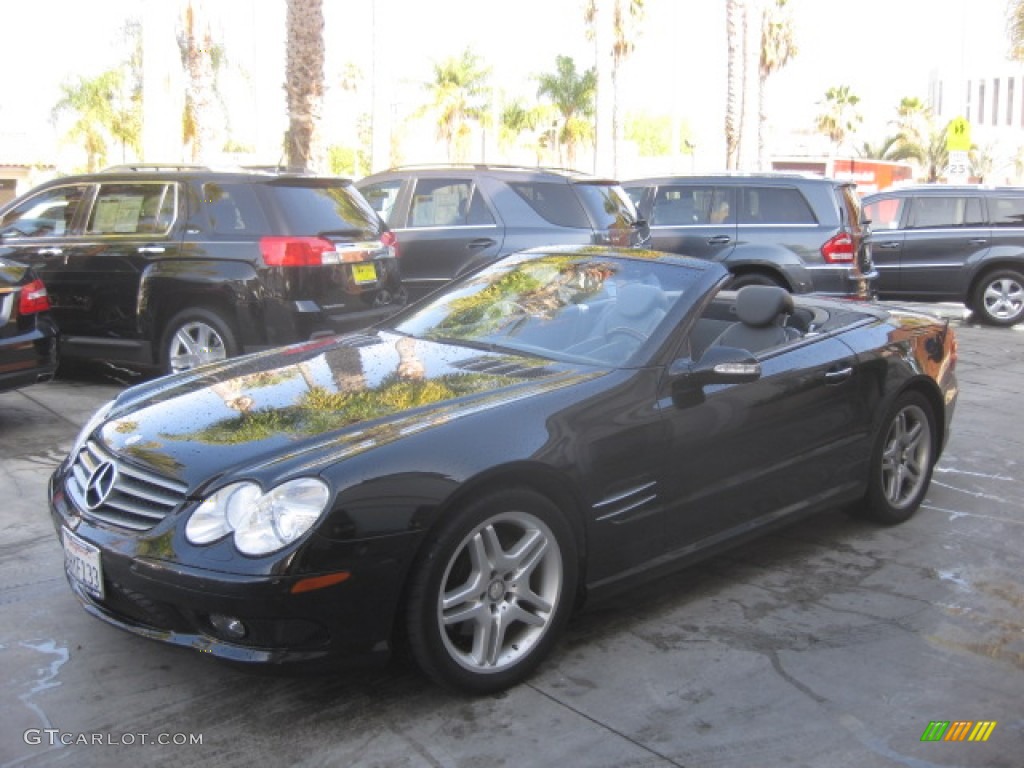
(459,97)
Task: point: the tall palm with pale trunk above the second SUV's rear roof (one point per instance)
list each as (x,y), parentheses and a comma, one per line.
(624,18)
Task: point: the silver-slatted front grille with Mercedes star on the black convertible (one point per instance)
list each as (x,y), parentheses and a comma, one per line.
(131,499)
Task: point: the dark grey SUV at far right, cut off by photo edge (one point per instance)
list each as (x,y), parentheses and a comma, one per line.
(943,243)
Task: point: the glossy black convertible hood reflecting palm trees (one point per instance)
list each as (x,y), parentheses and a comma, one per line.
(316,404)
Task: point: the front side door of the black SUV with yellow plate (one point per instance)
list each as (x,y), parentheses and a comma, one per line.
(42,231)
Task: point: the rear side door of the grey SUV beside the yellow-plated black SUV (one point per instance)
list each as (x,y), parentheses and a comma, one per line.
(448,228)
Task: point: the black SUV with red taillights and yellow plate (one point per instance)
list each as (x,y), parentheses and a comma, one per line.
(172,269)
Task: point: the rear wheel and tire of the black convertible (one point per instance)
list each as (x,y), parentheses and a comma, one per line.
(903,460)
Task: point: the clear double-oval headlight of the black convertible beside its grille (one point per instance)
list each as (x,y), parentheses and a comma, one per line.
(262,523)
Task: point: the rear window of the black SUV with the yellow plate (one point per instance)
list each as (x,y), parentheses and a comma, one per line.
(312,208)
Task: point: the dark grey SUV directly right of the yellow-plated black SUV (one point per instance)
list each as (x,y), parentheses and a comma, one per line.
(451,220)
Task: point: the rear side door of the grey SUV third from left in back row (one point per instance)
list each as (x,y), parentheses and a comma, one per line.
(694,221)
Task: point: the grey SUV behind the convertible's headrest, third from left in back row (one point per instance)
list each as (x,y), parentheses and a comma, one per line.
(802,233)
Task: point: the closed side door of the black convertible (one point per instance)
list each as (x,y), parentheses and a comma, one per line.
(744,455)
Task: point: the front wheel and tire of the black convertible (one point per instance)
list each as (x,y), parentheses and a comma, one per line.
(507,563)
